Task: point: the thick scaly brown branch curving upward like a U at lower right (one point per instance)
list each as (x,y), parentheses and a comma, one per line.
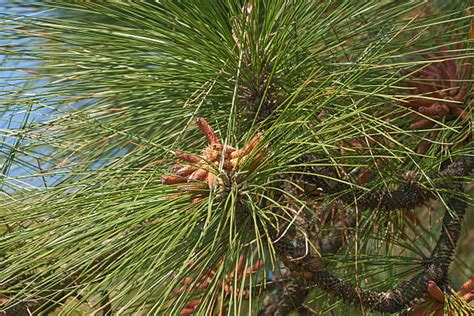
(435,269)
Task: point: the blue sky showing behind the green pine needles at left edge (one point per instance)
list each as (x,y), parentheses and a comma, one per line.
(17,111)
